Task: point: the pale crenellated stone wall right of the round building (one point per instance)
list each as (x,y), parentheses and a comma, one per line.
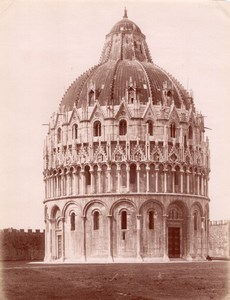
(219,239)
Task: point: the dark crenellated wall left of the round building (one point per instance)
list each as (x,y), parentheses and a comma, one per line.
(22,245)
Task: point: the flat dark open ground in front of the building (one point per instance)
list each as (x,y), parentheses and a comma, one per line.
(184,280)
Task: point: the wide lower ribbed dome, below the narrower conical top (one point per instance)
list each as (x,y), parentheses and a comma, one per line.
(111,81)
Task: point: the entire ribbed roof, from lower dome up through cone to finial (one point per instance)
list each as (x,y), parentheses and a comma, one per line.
(125,64)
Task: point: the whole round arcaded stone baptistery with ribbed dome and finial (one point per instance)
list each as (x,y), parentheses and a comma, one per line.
(126,162)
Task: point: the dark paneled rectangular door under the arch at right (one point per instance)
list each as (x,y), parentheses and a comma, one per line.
(174,242)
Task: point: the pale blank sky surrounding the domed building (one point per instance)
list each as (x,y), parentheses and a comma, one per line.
(45,45)
